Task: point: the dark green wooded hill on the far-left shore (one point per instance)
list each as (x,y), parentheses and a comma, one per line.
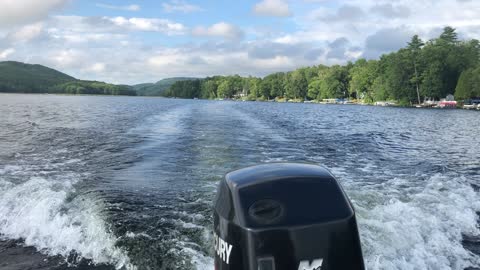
(16,77)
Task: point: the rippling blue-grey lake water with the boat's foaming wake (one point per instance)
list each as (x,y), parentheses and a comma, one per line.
(128,182)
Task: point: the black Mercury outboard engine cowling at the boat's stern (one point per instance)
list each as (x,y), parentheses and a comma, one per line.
(284,217)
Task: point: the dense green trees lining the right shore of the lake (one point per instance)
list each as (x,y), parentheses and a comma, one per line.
(419,71)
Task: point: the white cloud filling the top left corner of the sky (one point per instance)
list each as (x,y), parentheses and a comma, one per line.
(17,12)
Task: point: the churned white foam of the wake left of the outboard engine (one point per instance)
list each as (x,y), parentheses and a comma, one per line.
(38,212)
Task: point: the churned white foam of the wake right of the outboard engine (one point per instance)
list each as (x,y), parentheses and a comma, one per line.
(419,227)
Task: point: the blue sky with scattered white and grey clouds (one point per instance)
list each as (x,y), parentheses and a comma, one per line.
(129,42)
